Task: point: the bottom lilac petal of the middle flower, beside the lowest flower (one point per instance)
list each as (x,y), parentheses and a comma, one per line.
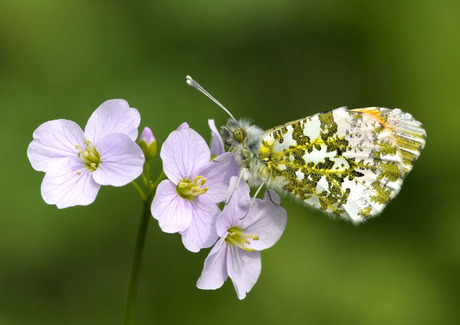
(201,233)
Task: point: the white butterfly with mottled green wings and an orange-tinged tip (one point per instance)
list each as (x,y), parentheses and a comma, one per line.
(348,163)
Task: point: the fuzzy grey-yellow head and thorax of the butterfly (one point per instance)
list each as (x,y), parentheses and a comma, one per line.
(243,140)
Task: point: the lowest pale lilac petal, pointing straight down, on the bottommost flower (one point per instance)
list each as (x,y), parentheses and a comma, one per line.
(243,268)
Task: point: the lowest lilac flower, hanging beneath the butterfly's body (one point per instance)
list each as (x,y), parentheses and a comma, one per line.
(243,234)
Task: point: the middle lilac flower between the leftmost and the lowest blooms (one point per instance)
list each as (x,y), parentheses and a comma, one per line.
(187,201)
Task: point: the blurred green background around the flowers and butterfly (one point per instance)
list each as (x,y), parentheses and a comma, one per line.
(273,61)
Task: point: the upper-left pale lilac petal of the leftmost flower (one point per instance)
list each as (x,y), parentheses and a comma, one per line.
(54,140)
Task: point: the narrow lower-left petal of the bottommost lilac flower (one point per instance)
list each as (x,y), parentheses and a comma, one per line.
(214,271)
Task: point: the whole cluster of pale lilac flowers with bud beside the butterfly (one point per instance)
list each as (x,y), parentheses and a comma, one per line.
(76,163)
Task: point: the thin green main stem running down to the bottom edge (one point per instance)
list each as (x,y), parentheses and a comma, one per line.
(133,283)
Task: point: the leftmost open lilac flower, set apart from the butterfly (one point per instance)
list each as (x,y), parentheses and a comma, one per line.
(77,163)
